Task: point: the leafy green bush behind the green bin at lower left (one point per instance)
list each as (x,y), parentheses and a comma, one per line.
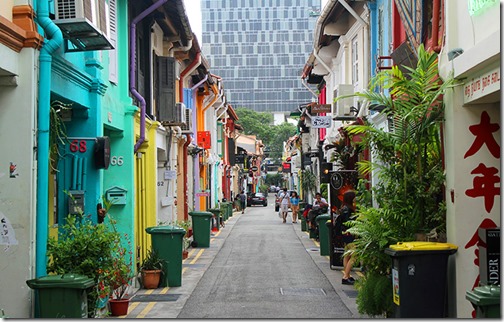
(95,251)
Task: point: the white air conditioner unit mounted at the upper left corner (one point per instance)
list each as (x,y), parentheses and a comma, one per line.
(85,23)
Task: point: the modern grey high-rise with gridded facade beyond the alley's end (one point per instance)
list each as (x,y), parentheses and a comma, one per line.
(259,48)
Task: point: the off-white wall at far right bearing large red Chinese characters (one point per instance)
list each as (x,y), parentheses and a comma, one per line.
(479,38)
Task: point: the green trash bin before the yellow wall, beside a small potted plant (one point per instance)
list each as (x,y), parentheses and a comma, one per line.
(167,241)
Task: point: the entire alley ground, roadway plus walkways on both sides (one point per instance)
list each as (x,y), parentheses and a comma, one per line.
(256,267)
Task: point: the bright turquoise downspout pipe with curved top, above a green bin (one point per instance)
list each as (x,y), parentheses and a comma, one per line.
(55,39)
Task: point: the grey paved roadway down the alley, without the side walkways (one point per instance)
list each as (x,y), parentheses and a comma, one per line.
(264,270)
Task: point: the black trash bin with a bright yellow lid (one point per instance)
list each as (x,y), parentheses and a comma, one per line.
(419,278)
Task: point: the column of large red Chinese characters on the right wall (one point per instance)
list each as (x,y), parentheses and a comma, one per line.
(482,186)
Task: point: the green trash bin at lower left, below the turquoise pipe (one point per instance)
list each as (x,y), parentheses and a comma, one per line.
(62,296)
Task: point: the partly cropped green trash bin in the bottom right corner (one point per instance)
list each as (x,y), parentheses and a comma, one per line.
(486,301)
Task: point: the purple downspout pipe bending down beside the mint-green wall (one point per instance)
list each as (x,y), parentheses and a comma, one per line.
(132,59)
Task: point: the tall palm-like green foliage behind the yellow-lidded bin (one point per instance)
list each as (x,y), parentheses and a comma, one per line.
(408,165)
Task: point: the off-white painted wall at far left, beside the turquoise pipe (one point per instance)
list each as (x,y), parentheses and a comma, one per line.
(18,192)
